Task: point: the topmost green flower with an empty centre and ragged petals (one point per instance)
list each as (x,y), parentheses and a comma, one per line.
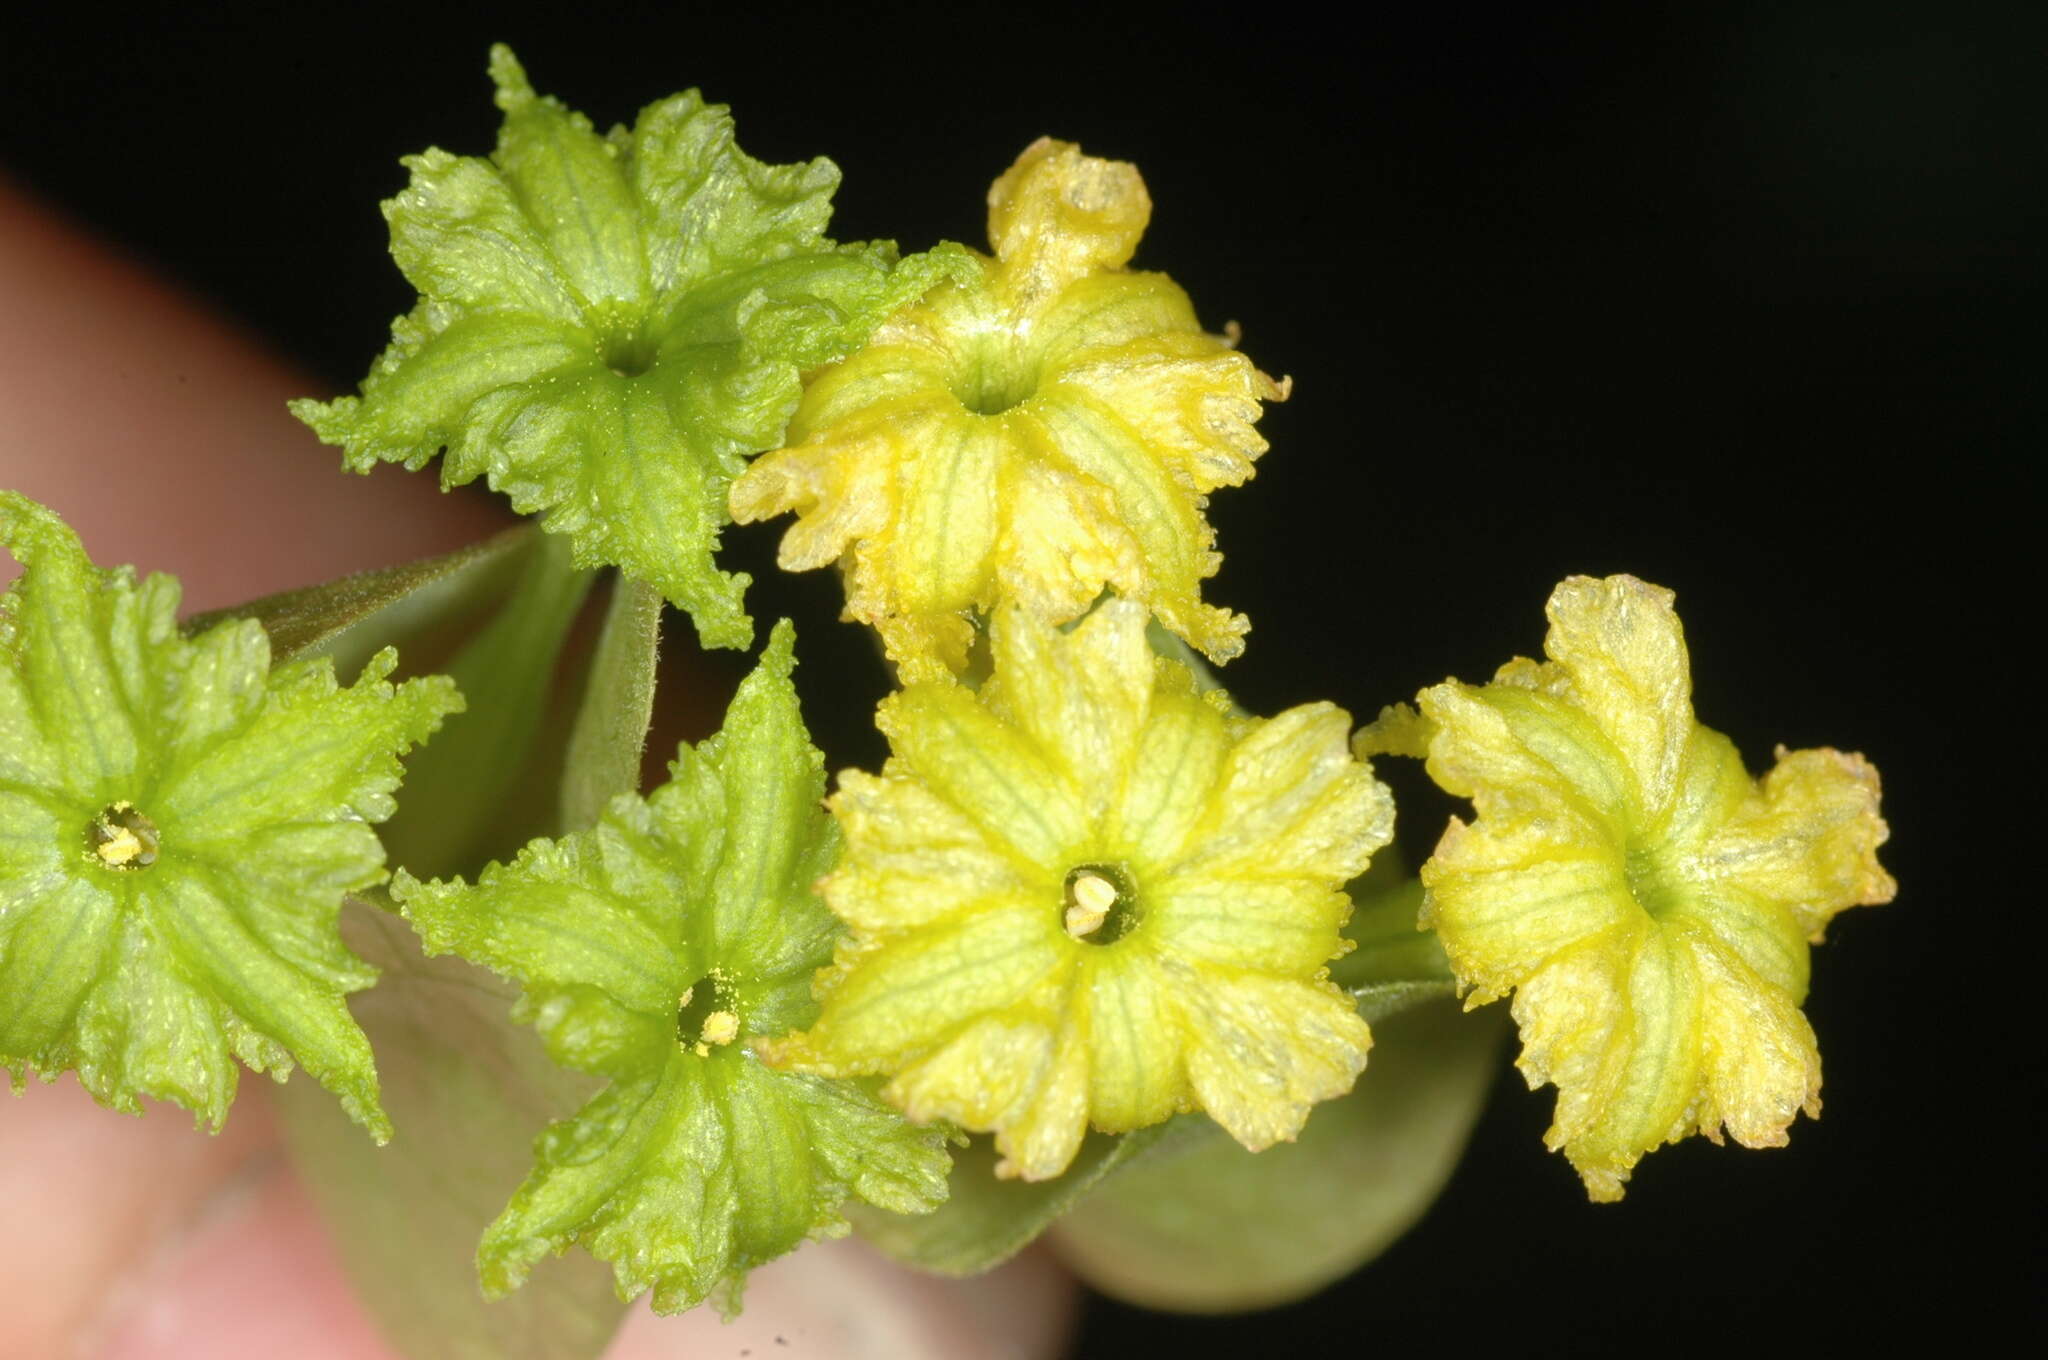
(611,325)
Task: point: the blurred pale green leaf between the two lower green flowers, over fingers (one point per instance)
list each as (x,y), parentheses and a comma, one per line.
(466,1089)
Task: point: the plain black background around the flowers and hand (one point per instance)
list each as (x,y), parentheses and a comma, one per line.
(1738,300)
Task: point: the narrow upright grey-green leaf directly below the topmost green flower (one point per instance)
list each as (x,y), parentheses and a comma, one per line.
(611,722)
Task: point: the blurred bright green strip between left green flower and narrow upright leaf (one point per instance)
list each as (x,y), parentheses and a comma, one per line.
(460,810)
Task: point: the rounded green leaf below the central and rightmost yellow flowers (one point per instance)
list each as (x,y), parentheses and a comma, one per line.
(1209,1228)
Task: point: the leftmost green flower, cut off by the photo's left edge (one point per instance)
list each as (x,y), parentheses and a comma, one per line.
(179,824)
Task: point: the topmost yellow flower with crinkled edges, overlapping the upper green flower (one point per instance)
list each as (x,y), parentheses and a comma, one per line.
(1033,433)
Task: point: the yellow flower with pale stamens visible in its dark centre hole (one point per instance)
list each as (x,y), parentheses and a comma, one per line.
(1086,896)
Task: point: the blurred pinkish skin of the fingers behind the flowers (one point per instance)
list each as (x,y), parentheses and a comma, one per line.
(161,435)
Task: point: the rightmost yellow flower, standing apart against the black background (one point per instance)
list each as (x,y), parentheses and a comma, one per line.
(1648,902)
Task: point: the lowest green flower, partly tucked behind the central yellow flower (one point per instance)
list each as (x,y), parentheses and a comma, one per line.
(654,951)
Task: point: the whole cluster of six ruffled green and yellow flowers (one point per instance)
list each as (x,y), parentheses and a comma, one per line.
(1084,894)
